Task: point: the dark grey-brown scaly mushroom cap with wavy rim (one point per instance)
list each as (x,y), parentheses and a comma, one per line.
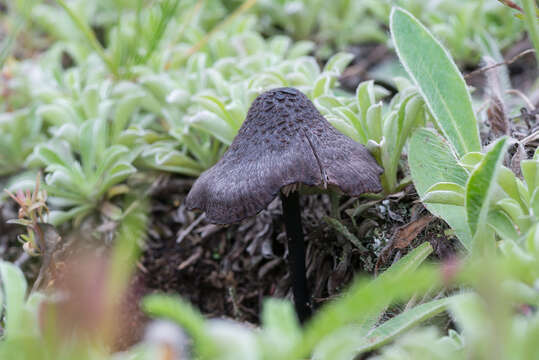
(284,140)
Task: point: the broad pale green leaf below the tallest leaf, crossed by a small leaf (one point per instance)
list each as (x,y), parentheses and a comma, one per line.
(431,161)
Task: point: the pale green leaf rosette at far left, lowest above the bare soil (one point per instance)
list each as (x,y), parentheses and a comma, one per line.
(80,177)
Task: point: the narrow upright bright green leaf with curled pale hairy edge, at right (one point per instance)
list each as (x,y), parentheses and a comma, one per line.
(481,185)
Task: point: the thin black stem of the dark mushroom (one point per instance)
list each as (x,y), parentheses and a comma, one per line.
(296,254)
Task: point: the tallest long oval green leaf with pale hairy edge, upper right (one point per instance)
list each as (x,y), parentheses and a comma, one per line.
(438,79)
